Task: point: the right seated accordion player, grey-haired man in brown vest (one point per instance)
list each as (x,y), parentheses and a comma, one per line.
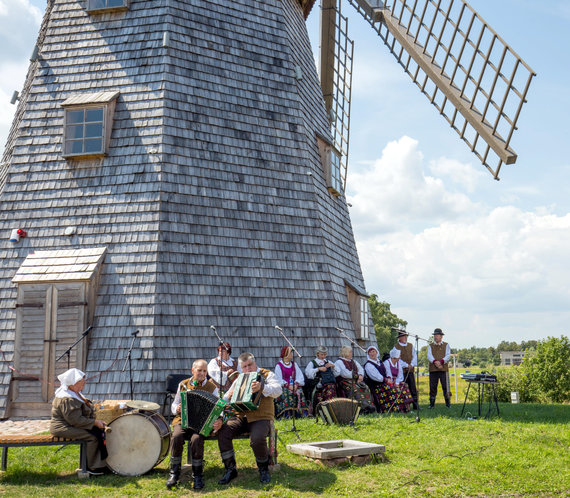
(256,422)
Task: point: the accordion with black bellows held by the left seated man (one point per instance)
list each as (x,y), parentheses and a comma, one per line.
(199,410)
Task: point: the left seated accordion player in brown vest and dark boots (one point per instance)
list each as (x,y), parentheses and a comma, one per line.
(199,382)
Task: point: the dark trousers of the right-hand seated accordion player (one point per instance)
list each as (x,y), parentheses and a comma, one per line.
(258,432)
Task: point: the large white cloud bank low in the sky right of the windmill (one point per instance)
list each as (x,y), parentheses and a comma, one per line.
(441,259)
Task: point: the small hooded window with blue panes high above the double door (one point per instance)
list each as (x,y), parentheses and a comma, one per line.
(88,124)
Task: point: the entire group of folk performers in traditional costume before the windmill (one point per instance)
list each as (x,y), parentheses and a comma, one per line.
(381,385)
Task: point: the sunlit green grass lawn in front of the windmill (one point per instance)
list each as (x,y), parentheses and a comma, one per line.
(522,452)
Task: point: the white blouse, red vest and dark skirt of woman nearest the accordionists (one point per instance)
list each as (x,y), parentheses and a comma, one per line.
(292,380)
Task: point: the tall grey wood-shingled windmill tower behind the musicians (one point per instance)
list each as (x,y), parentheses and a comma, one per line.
(174,167)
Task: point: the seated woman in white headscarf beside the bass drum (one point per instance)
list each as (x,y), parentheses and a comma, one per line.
(72,416)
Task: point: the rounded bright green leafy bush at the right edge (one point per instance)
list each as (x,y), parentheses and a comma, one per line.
(547,369)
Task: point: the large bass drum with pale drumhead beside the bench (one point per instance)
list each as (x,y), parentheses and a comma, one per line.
(137,442)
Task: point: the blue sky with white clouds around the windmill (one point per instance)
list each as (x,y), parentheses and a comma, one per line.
(440,240)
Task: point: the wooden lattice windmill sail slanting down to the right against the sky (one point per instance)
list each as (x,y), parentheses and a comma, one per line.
(465,69)
